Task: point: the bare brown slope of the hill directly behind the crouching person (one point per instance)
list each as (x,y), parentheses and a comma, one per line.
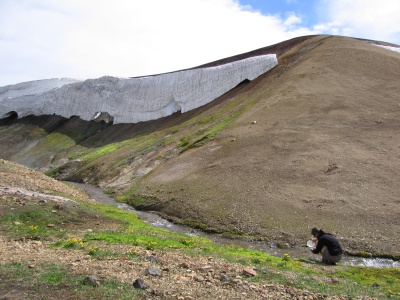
(324,151)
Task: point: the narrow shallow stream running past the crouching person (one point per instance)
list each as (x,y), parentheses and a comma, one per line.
(269,248)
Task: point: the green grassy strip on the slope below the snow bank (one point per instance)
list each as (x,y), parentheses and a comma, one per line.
(108,160)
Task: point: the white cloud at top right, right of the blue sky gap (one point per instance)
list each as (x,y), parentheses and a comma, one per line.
(370,19)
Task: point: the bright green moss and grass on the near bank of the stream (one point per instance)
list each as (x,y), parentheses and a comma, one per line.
(31,220)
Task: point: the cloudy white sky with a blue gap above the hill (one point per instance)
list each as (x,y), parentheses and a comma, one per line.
(81,39)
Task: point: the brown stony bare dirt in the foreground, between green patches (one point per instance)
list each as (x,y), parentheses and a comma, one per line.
(182,277)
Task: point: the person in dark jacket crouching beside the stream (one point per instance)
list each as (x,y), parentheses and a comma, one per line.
(328,246)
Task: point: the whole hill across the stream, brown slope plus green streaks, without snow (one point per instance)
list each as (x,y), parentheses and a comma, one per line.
(313,142)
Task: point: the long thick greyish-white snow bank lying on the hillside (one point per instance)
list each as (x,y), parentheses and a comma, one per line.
(131,100)
